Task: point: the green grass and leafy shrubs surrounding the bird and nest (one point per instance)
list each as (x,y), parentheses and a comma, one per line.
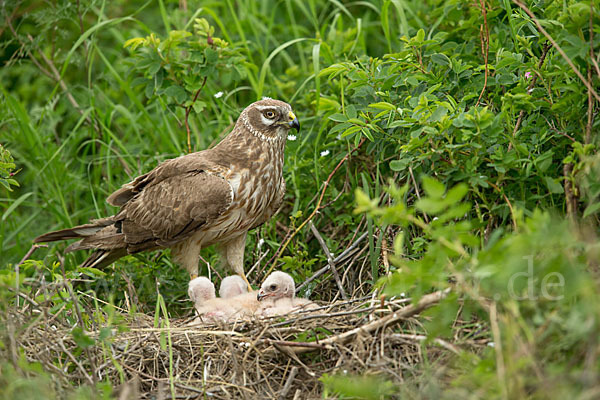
(476,126)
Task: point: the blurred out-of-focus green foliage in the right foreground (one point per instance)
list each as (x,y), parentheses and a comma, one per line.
(538,279)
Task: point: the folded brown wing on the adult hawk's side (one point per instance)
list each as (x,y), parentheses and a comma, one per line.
(171,209)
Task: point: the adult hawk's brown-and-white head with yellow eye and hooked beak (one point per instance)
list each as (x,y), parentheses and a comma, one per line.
(269,119)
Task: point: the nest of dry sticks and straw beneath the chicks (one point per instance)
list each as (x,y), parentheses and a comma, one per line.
(278,357)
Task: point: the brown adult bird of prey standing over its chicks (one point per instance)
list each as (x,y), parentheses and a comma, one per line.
(210,197)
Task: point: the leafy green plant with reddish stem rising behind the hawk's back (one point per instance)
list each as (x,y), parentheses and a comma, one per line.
(177,68)
